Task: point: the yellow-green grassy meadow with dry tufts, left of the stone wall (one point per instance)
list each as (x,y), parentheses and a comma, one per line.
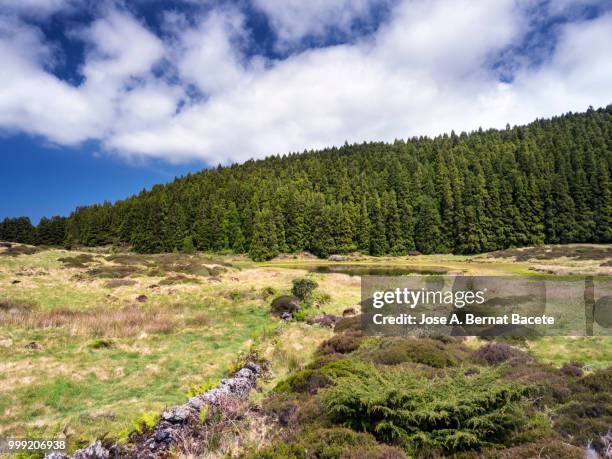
(91,341)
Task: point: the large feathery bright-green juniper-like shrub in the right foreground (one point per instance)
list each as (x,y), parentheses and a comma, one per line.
(450,414)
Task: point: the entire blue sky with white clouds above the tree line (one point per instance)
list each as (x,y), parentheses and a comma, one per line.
(100,99)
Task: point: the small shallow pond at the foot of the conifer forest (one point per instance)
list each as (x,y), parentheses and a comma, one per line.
(370,270)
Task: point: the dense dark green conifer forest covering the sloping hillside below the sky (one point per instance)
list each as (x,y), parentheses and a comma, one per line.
(546,182)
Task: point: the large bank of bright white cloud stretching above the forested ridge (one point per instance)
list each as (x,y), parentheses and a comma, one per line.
(425,71)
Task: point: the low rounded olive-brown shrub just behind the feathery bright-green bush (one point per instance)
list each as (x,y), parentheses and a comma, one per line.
(433,353)
